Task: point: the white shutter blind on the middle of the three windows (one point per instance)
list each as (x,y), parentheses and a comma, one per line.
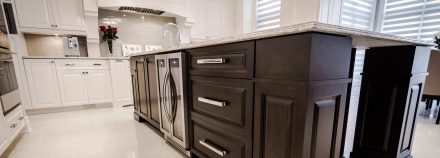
(358,13)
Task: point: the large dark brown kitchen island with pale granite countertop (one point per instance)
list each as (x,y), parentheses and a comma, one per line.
(284,92)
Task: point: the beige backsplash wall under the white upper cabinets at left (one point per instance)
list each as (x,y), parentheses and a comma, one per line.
(50,45)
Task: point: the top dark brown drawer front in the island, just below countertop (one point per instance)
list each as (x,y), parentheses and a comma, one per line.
(230,60)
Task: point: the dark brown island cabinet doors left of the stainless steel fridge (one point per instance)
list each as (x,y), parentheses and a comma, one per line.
(146,103)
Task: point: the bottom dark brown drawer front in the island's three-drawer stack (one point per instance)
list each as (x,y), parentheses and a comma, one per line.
(211,143)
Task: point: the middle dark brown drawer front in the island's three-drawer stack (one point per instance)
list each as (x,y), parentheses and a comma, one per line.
(229,100)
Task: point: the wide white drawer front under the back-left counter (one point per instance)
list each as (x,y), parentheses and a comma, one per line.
(80,64)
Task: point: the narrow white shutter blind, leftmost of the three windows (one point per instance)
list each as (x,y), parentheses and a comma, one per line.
(268,14)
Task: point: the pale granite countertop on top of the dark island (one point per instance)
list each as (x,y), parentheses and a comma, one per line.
(361,38)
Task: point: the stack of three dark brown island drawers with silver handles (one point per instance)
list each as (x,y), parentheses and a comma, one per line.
(222,102)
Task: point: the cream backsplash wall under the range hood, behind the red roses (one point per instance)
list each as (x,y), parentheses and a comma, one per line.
(135,28)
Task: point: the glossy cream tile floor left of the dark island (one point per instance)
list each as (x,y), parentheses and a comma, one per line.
(97,133)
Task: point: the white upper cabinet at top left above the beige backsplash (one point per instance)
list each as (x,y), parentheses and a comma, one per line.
(51,14)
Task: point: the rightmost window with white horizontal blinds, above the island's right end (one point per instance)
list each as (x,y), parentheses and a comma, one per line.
(417,19)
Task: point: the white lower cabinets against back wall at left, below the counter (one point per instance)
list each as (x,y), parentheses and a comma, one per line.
(62,82)
